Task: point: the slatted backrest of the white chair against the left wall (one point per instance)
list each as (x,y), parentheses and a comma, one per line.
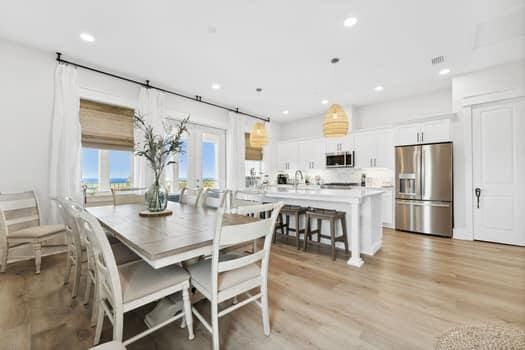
(18,211)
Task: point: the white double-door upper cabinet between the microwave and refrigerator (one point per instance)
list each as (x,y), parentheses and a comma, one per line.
(374,149)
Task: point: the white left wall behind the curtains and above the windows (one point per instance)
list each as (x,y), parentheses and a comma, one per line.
(26,108)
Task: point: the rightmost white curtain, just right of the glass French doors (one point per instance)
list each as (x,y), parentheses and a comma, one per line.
(235,149)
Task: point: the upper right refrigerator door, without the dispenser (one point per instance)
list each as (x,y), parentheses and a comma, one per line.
(436,172)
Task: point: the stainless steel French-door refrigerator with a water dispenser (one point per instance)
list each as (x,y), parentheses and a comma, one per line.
(424,189)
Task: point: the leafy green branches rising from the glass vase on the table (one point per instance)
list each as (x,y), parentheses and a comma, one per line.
(158,149)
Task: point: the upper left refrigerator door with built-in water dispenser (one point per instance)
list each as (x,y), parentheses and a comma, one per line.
(408,172)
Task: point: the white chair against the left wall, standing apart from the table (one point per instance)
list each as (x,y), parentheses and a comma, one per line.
(20,225)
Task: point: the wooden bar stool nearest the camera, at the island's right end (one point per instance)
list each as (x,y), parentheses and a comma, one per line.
(332,216)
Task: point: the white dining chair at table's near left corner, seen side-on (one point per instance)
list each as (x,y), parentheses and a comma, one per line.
(127,287)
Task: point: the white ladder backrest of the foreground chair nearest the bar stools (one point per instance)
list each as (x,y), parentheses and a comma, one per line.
(226,236)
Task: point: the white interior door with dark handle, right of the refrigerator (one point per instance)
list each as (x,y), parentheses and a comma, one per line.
(499,171)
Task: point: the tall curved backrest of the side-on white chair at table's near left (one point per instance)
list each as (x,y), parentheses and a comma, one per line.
(108,279)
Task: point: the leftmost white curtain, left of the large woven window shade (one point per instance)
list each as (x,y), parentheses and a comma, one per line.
(64,169)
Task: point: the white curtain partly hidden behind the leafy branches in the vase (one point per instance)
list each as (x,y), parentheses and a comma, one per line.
(151,109)
